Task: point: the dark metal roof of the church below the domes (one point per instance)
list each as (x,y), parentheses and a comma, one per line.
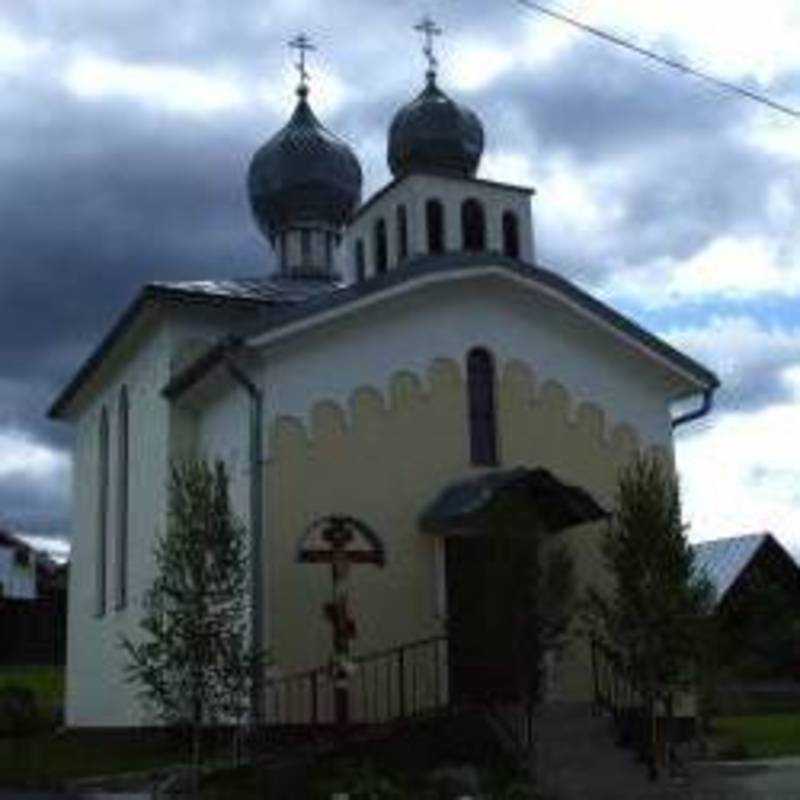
(279,303)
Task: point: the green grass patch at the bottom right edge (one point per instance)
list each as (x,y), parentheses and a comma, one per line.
(764,736)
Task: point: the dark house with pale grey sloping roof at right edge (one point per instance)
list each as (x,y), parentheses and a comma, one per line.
(756,584)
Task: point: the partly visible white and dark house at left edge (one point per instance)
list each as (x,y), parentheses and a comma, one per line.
(33,605)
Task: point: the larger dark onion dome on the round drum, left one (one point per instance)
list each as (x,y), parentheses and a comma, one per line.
(304,173)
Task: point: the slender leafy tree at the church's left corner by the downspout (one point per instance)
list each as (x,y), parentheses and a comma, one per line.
(192,662)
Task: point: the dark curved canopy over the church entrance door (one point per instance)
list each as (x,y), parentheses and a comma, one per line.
(462,508)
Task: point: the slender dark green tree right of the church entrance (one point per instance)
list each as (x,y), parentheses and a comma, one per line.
(655,615)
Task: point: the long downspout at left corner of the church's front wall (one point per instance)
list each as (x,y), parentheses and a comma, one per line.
(256,532)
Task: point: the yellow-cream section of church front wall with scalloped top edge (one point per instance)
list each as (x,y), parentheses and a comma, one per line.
(382,457)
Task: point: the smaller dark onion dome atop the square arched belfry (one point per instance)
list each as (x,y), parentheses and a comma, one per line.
(435,134)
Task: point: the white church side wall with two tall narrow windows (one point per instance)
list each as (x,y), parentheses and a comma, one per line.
(96,692)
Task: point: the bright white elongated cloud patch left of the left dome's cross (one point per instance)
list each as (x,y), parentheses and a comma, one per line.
(167,86)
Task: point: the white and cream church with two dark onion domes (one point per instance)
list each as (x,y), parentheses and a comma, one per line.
(404,359)
